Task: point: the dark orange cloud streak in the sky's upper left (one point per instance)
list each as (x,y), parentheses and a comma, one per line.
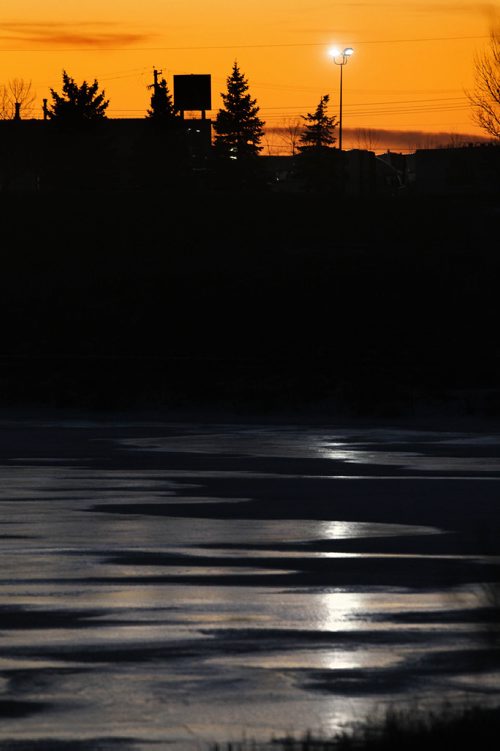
(94,35)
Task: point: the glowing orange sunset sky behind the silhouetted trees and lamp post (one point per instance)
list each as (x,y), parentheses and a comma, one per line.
(413,58)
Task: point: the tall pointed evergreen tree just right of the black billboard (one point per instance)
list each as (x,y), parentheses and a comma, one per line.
(238,128)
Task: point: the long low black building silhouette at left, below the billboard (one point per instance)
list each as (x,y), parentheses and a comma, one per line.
(32,152)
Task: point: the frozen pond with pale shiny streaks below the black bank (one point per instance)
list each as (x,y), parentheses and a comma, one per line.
(173,584)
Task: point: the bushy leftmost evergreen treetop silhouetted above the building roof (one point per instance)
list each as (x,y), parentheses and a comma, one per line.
(78,105)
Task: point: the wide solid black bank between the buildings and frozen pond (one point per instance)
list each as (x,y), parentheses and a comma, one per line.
(249,300)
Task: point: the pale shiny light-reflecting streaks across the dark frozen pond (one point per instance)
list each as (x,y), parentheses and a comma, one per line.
(55,557)
